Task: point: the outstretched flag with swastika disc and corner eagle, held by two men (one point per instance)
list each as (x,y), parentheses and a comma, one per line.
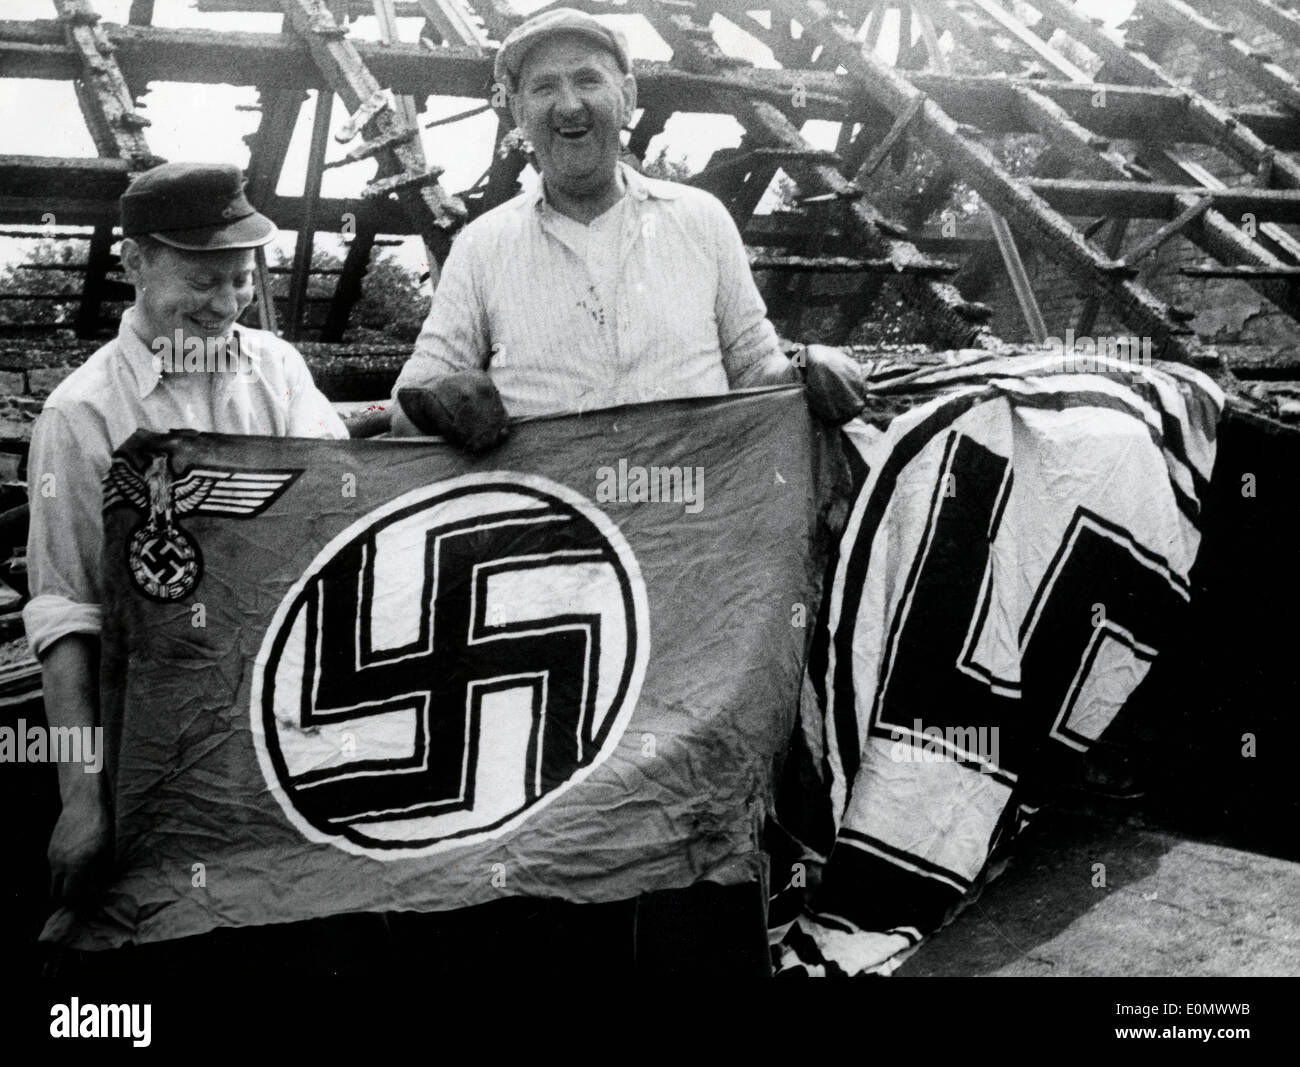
(387,675)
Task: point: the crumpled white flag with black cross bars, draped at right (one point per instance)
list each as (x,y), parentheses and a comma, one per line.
(1016,557)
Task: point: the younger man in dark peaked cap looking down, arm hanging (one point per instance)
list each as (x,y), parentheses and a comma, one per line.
(179,362)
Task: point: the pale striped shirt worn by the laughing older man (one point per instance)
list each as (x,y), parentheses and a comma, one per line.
(653,301)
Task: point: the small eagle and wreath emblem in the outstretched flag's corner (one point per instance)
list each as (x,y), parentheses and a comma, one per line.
(164,559)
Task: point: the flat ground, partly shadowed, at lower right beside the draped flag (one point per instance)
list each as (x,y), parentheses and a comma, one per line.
(1169,908)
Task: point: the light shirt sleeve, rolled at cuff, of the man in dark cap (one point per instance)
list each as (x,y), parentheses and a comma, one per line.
(66,471)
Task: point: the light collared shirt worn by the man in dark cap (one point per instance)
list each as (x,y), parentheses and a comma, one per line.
(116,392)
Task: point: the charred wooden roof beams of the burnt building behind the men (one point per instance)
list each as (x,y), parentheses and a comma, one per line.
(1117,172)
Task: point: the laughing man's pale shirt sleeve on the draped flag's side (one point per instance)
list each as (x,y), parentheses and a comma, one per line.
(752,353)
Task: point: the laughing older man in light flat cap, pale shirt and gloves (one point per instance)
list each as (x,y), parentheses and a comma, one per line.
(600,287)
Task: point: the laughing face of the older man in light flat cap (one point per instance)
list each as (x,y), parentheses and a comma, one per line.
(571,103)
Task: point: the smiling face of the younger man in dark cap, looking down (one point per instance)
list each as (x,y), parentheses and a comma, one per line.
(202,294)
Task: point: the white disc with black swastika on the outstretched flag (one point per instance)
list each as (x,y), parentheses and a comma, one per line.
(450,665)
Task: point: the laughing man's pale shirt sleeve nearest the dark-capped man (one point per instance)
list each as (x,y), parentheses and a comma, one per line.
(456,335)
